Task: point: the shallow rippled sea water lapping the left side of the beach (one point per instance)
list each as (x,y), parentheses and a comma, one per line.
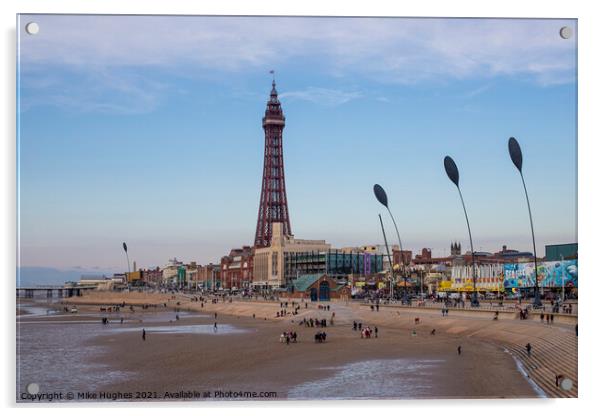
(57,355)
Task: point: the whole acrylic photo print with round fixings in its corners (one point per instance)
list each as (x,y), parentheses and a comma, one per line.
(277,208)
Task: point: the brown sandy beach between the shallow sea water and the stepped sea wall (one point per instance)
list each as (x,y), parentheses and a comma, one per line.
(256,361)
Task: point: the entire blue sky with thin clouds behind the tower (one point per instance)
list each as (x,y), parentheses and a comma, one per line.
(148,130)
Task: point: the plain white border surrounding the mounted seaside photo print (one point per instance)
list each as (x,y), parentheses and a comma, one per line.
(589,174)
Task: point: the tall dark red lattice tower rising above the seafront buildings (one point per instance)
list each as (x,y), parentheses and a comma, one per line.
(273,206)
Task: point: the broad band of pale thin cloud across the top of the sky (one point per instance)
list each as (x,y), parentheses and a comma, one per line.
(404,49)
